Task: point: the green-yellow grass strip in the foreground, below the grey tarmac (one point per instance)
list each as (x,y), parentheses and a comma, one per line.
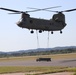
(42,70)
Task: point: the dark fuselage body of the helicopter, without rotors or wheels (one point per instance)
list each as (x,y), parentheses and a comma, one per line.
(42,24)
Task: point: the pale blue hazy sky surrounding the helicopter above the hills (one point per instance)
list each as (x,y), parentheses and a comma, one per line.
(13,38)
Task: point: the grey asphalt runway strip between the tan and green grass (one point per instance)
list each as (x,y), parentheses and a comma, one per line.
(61,62)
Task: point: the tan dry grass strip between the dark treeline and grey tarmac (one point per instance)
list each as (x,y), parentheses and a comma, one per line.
(53,56)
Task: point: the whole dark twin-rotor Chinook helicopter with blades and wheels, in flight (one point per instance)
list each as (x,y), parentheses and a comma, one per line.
(57,23)
